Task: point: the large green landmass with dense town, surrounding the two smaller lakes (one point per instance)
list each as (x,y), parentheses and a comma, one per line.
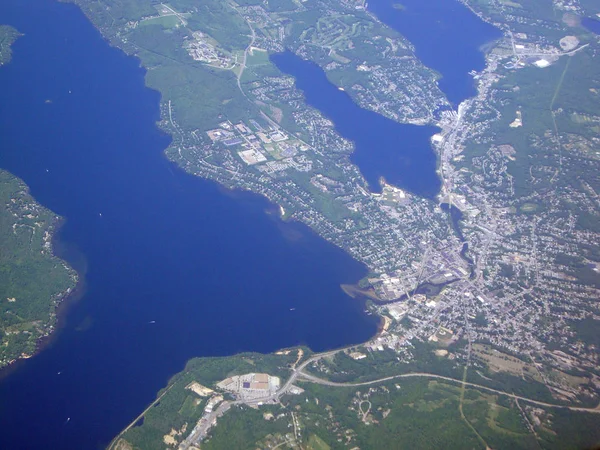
(490,317)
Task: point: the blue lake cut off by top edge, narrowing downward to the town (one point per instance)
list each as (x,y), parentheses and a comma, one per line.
(447,36)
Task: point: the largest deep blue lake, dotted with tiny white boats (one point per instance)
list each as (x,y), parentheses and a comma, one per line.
(175,267)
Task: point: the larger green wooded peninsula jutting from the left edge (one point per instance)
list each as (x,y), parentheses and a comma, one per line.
(32,280)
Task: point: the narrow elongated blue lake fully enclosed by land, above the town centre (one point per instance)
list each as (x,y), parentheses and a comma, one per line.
(401,154)
